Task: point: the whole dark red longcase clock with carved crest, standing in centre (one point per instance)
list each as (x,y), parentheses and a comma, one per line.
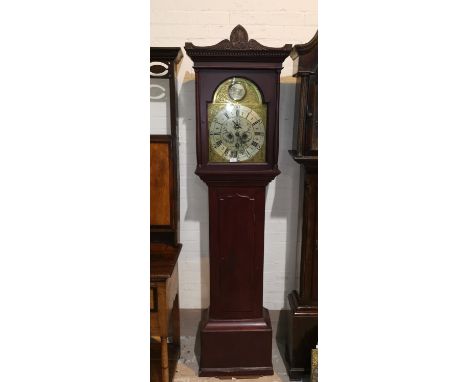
(236,333)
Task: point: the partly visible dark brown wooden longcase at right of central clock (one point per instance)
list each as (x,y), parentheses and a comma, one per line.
(303,313)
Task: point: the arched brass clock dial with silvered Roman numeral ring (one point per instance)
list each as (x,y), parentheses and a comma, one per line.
(237,123)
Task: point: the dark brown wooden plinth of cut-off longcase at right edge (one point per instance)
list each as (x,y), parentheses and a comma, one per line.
(302,337)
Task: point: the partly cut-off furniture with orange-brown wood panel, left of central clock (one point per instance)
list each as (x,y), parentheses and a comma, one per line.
(164,218)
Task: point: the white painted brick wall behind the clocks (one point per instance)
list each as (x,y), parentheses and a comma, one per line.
(206,22)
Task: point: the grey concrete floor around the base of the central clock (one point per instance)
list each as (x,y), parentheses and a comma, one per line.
(187,366)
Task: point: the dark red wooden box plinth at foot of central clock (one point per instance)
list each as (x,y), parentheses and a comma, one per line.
(240,347)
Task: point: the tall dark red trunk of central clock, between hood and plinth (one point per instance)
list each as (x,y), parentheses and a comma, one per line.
(236,228)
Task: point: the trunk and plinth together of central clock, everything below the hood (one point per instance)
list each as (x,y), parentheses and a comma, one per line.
(236,334)
